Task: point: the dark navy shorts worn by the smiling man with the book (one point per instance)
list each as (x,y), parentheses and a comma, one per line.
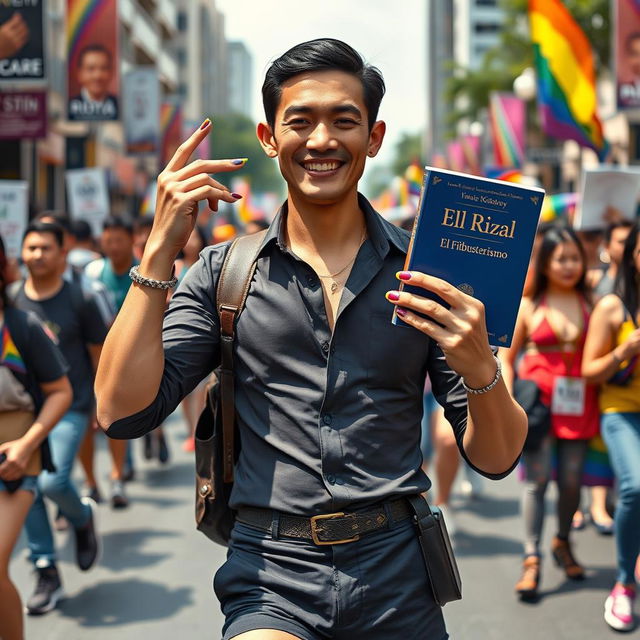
(375,588)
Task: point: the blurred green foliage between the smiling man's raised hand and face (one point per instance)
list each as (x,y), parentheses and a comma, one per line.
(234,136)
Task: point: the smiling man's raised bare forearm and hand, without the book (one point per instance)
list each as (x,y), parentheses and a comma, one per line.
(132,362)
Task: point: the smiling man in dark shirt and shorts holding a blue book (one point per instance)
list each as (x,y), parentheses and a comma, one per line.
(328,392)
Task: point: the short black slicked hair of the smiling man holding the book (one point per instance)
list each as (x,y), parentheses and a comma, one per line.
(323,54)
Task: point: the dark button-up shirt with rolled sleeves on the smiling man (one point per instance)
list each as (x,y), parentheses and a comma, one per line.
(327,420)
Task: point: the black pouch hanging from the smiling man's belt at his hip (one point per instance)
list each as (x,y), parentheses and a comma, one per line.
(437,552)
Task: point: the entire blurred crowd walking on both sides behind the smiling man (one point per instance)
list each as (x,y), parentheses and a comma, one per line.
(578,322)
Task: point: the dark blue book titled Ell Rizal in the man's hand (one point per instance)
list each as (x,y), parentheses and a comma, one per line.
(477,234)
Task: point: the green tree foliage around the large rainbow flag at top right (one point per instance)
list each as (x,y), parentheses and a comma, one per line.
(468,90)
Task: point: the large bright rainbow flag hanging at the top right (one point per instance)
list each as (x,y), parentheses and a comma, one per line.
(566,76)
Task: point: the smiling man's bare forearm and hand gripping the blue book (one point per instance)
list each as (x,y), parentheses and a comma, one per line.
(496,425)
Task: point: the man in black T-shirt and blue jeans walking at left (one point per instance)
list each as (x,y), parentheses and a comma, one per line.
(77,325)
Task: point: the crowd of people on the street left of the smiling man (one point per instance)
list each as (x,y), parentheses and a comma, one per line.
(58,301)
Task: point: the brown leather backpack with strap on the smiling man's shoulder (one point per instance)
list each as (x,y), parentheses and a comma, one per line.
(216,445)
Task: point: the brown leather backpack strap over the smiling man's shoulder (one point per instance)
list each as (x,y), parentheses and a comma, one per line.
(233,287)
